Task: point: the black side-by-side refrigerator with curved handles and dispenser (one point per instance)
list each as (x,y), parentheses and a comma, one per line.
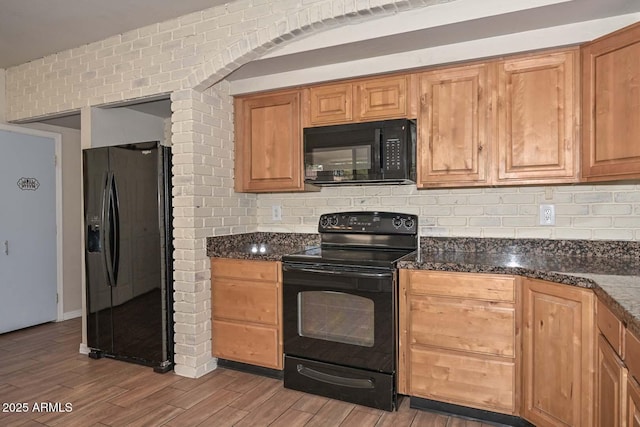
(129,253)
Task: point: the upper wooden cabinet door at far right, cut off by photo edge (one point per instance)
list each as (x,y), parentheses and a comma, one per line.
(611,99)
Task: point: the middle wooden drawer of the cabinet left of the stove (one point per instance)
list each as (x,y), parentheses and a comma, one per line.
(245,300)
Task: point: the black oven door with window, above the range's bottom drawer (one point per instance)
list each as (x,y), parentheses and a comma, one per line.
(340,315)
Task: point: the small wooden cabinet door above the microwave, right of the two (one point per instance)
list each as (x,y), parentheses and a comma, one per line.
(384,98)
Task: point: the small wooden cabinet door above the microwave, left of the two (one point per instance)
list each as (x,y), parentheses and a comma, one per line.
(330,104)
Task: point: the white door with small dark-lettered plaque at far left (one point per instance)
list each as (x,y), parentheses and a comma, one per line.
(28,245)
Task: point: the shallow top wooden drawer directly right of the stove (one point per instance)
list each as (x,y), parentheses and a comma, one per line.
(489,287)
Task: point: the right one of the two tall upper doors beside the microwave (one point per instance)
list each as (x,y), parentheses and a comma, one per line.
(538,118)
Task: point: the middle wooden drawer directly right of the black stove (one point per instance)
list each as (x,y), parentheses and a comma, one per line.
(465,325)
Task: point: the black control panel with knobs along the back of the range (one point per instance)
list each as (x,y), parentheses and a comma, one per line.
(369,223)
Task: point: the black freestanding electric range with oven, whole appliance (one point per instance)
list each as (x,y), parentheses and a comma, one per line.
(340,308)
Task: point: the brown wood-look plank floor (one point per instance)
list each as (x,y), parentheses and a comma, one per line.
(43,375)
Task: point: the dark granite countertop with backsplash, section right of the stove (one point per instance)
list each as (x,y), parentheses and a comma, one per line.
(611,269)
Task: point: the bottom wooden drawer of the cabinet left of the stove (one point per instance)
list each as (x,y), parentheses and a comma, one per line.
(256,345)
